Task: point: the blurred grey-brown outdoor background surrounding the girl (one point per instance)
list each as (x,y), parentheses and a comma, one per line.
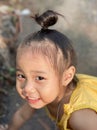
(80,25)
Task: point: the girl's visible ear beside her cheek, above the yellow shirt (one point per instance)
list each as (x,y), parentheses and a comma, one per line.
(68,75)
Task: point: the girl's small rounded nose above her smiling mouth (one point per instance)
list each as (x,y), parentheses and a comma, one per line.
(28,89)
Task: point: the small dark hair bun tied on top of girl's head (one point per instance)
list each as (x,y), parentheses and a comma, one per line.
(47,19)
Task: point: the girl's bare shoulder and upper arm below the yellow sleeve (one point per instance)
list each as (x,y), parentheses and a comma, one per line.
(85,119)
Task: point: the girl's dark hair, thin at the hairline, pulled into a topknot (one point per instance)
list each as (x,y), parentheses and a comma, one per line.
(52,43)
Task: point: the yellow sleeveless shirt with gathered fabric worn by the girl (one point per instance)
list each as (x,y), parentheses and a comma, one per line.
(84,96)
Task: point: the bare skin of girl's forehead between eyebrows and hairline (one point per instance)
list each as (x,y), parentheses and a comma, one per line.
(25,56)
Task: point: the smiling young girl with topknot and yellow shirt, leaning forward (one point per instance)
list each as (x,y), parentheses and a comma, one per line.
(46,77)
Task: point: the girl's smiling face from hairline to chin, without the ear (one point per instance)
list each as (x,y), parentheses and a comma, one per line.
(36,80)
